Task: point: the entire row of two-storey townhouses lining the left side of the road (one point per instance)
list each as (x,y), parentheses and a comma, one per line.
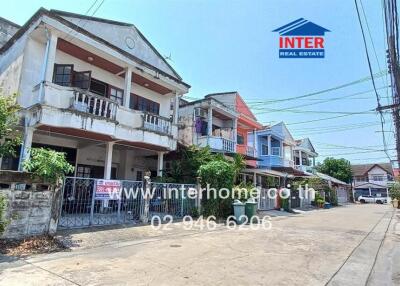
(98,91)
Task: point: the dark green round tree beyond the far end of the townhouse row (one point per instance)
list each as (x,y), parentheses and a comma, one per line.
(337,168)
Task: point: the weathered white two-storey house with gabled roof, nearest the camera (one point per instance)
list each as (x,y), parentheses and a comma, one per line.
(95,89)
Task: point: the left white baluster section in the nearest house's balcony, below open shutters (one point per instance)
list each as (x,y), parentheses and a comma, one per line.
(94,104)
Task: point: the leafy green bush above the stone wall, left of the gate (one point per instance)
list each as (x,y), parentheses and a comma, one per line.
(48,164)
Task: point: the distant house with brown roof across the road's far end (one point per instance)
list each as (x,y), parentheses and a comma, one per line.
(371,179)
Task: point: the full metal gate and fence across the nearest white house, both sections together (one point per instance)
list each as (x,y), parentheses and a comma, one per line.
(82,206)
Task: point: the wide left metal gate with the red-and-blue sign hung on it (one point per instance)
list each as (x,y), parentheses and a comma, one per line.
(81,208)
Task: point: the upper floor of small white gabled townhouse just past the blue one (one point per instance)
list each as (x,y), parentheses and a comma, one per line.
(304,155)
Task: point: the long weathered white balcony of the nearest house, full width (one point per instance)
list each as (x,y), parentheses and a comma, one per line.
(106,113)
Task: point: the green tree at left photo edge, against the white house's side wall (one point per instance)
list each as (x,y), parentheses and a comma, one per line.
(10,137)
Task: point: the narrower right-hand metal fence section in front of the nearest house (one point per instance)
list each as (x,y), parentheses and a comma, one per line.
(171,199)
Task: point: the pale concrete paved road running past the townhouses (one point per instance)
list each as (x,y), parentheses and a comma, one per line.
(350,245)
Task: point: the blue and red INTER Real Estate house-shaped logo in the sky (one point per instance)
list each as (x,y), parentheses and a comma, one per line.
(301,39)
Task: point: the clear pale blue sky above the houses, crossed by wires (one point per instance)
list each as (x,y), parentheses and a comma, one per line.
(229,45)
